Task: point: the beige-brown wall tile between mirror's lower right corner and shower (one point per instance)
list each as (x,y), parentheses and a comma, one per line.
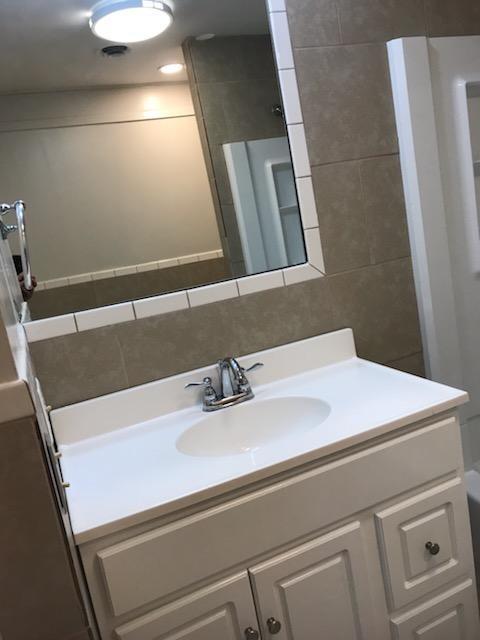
(379,304)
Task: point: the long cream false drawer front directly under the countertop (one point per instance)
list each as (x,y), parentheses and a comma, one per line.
(152,565)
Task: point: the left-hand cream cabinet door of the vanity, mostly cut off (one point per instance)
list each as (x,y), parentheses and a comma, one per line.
(222,611)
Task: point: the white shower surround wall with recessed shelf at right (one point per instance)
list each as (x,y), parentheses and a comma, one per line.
(436,86)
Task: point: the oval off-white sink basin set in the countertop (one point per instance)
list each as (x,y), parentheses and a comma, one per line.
(250,426)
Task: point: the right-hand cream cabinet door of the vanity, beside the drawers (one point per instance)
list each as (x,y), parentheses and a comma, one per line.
(317,590)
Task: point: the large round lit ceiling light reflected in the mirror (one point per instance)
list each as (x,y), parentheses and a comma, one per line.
(130,20)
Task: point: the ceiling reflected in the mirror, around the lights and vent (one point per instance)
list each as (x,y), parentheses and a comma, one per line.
(47,44)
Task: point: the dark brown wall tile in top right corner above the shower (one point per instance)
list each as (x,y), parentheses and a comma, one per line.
(452,17)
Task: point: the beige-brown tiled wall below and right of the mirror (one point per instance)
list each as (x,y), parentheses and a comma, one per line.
(346,97)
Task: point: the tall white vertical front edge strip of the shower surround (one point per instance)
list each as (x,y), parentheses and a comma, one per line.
(422,182)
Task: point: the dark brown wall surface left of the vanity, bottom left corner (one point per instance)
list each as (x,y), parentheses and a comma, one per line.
(39,599)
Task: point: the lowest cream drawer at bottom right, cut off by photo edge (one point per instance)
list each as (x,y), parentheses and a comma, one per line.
(450,616)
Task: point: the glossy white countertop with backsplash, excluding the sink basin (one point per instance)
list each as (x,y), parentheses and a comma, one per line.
(123,471)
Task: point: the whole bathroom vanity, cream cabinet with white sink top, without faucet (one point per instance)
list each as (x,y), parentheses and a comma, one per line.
(349,521)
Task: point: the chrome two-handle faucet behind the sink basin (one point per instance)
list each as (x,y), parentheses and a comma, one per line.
(234,385)
